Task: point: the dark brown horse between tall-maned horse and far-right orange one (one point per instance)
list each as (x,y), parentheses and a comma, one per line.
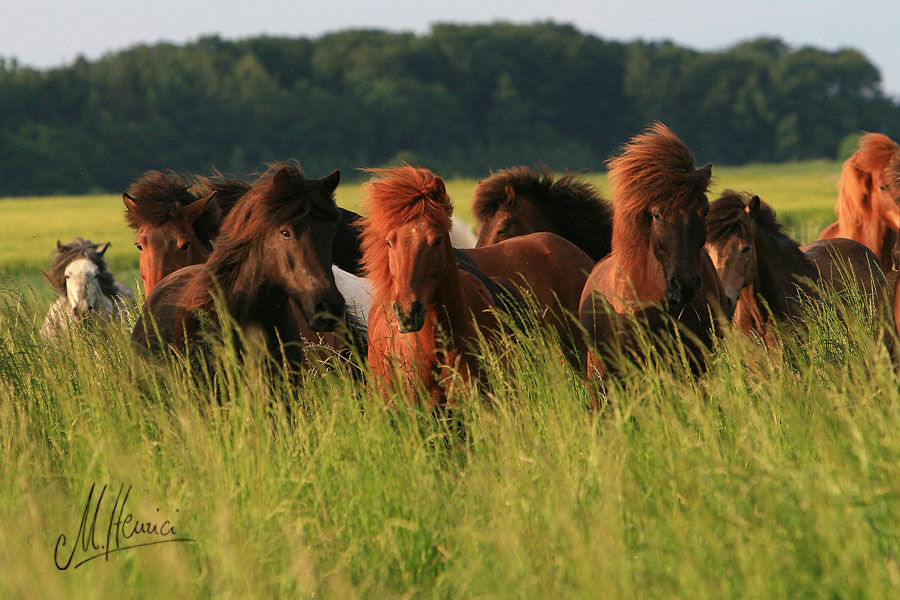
(764,272)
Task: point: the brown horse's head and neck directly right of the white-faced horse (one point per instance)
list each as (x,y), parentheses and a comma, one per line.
(175,228)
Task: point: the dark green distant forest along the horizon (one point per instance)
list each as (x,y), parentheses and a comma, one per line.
(462,100)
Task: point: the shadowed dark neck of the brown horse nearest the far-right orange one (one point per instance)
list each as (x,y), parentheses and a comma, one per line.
(779,264)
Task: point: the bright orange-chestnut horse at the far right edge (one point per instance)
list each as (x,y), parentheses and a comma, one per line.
(867,199)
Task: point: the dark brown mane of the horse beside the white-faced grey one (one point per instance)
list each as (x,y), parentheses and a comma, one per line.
(160,197)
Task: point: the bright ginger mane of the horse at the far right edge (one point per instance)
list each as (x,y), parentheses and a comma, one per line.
(876,153)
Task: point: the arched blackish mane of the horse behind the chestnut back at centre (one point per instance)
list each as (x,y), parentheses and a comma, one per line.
(574,206)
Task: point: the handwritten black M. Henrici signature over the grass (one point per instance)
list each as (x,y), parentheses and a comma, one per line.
(123,527)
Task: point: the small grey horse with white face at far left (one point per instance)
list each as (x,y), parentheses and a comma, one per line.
(86,287)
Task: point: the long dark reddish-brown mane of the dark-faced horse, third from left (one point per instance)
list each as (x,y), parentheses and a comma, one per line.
(280,195)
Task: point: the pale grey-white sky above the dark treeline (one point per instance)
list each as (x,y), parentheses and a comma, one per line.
(45,33)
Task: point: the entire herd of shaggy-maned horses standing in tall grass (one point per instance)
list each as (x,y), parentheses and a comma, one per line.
(287,266)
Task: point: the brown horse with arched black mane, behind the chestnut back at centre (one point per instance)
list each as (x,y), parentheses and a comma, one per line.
(517,202)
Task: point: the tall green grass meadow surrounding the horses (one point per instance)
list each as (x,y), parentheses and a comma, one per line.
(776,475)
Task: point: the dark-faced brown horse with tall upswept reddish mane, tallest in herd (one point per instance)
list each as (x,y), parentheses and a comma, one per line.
(658,275)
